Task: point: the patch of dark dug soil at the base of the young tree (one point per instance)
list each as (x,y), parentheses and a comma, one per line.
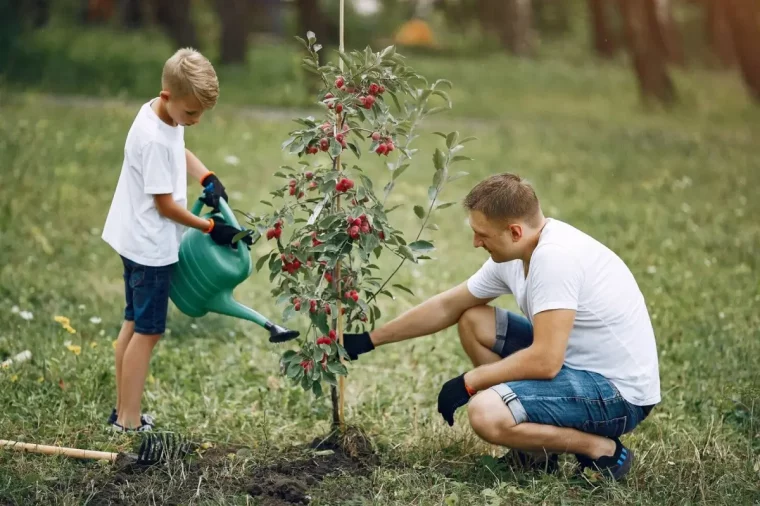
(285,480)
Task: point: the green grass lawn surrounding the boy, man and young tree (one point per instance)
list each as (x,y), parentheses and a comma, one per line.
(675,197)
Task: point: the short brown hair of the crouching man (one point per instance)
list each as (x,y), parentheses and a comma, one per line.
(505,197)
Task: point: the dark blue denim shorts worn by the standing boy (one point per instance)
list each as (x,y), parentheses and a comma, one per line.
(147,293)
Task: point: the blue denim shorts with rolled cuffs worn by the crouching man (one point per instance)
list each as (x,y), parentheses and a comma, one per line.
(581,400)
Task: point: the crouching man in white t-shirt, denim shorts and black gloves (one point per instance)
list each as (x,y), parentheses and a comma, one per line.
(580,371)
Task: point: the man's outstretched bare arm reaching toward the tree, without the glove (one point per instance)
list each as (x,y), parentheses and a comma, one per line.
(433,315)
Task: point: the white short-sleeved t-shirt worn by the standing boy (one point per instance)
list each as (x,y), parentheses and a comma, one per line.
(154,163)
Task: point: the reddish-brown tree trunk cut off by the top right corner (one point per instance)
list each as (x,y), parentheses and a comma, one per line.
(744,23)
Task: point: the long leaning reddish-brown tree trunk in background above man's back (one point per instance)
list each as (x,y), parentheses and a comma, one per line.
(647,58)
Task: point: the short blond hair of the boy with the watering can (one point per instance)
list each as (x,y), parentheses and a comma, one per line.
(188,71)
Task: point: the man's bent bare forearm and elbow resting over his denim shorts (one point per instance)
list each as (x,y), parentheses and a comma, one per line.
(542,360)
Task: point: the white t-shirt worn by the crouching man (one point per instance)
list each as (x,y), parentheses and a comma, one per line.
(612,334)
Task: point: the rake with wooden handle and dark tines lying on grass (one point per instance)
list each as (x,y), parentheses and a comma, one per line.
(155,448)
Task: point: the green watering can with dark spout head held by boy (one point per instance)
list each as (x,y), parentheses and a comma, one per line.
(206,274)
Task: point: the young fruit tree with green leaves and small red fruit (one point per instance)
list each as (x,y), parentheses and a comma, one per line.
(331,223)
